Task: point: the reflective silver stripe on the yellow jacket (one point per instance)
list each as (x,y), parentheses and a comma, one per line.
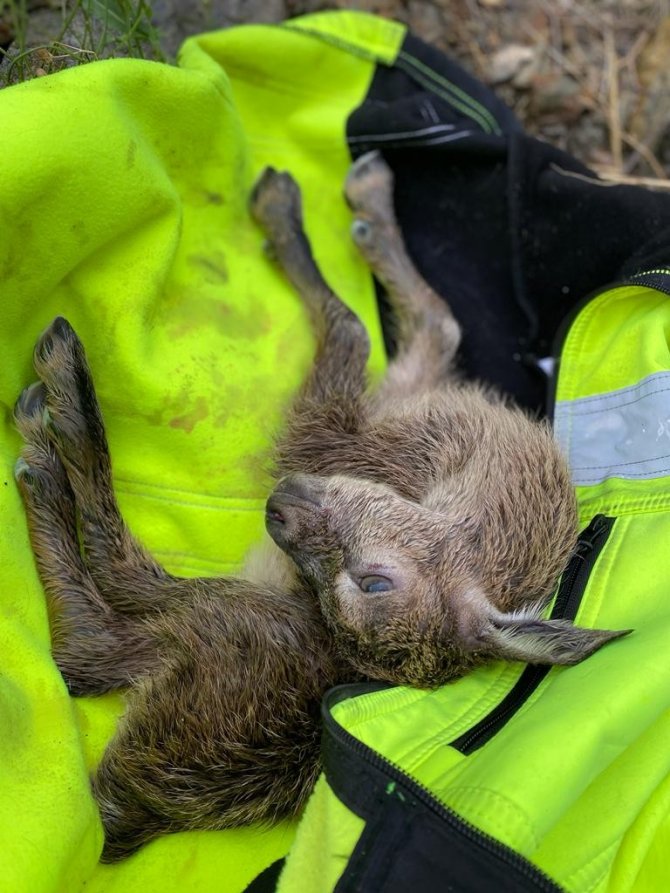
(624,433)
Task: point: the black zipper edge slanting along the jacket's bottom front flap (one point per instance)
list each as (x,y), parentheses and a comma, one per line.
(464,828)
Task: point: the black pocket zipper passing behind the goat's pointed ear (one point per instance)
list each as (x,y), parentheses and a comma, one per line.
(568,599)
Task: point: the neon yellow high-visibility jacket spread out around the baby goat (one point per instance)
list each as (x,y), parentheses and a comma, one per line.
(123,207)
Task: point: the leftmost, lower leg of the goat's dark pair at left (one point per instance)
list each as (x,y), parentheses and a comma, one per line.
(95,649)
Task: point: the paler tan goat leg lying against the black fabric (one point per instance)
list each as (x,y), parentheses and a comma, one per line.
(427,333)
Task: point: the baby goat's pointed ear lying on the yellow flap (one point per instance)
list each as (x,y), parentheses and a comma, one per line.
(523,636)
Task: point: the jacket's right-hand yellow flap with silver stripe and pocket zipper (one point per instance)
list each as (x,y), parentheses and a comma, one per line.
(528,778)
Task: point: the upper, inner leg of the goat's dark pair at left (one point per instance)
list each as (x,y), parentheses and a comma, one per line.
(125,574)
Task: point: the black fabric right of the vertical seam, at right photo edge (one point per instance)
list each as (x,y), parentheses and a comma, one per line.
(578,235)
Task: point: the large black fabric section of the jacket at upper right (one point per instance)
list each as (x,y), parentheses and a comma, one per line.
(512,232)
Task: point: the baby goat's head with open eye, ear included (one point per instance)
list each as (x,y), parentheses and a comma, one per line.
(411,595)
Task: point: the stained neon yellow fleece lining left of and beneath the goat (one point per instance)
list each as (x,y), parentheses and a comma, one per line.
(123,208)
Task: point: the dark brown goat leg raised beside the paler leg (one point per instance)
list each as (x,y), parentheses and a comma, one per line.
(329,407)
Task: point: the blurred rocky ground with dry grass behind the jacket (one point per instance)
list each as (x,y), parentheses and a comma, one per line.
(589,76)
